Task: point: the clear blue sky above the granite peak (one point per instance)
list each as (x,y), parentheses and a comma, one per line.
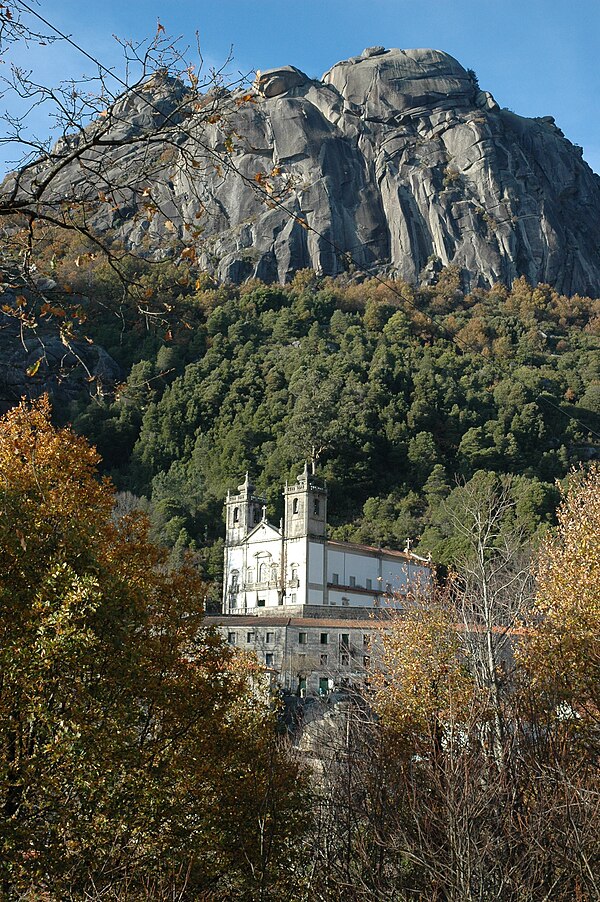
(537,57)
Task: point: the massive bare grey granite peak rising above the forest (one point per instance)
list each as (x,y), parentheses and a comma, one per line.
(396,160)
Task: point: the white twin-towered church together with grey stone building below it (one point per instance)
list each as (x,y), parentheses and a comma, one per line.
(308,607)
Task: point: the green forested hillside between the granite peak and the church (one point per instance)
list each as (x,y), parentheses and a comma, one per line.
(396,393)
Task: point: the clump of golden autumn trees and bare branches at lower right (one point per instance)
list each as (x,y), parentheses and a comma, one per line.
(473,812)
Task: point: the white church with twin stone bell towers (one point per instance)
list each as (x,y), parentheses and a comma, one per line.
(294,569)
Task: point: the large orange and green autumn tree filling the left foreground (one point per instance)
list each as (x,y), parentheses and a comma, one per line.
(137,755)
